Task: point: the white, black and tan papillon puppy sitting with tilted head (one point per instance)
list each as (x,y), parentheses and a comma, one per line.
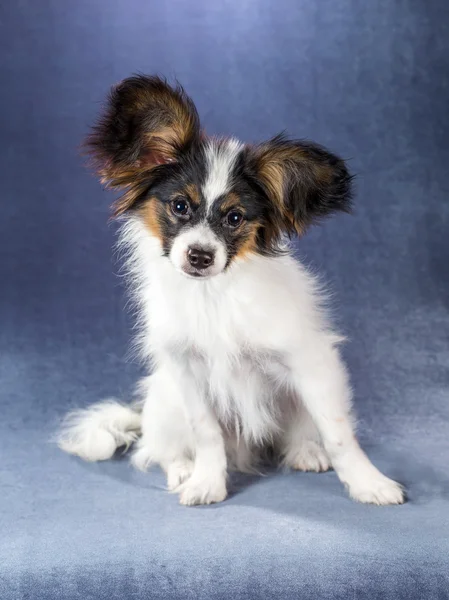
(241,353)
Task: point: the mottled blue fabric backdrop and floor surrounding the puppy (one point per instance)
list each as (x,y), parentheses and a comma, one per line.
(371,81)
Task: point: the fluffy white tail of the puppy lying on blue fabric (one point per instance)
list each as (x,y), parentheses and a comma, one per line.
(96,432)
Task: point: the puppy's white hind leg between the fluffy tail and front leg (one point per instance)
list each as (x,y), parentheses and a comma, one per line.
(167,437)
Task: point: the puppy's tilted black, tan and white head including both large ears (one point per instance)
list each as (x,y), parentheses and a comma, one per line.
(208,201)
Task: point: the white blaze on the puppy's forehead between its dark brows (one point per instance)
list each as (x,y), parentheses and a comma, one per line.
(220,161)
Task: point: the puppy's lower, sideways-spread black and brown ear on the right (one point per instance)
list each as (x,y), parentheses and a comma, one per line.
(303,181)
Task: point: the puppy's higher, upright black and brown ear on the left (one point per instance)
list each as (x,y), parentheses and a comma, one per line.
(146,124)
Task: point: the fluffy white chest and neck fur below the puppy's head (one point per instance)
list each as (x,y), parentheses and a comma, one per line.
(235,332)
